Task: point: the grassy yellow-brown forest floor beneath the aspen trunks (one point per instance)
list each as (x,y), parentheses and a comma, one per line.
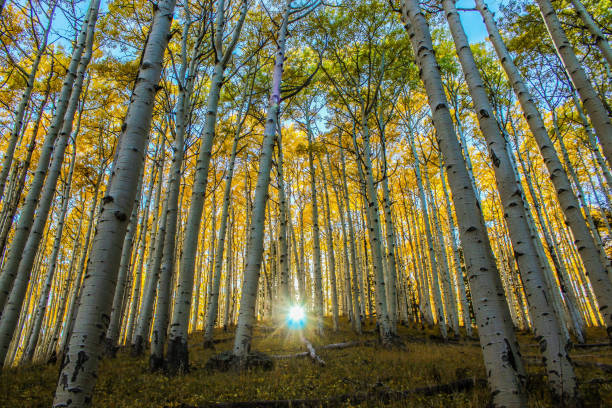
(361,375)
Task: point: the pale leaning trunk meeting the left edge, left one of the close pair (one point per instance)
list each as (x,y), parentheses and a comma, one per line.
(26,217)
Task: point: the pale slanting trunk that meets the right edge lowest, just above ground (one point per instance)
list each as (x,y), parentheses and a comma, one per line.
(583,239)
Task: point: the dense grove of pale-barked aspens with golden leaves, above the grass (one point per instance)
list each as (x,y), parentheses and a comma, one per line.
(172,167)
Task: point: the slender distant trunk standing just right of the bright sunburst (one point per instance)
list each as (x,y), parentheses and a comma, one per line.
(318,283)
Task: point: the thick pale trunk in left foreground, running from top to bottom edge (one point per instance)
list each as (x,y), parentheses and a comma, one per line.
(79,369)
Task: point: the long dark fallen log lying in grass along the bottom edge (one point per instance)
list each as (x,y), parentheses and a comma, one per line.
(379,396)
